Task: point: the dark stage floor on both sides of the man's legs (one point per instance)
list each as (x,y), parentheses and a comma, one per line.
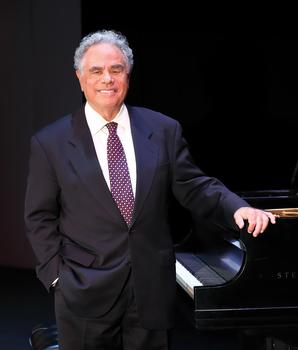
(25,304)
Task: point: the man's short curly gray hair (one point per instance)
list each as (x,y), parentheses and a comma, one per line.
(103,36)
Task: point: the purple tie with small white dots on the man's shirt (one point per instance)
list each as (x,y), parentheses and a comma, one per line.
(120,183)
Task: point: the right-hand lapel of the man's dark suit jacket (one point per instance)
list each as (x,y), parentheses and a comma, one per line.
(146,158)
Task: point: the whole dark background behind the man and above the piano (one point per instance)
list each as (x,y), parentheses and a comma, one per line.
(230,80)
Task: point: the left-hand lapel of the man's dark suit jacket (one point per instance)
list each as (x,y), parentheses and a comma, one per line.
(83,158)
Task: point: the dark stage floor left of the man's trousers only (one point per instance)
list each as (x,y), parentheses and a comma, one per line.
(24,304)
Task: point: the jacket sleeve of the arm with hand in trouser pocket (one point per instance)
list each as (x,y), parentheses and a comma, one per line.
(42,210)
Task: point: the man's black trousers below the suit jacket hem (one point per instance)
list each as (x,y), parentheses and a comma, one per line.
(119,329)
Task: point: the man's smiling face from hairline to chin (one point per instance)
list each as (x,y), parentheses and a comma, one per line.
(104,78)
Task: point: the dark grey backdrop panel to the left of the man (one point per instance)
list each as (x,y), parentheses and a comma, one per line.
(38,85)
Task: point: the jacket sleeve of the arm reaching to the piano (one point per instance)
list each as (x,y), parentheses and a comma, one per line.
(204,196)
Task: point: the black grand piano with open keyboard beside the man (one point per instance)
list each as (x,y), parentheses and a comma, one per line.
(231,280)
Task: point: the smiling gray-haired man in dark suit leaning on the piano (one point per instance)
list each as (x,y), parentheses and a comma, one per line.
(113,269)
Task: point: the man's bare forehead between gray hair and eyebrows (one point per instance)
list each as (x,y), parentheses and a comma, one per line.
(103,54)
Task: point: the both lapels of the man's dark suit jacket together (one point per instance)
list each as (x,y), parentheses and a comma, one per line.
(82,156)
